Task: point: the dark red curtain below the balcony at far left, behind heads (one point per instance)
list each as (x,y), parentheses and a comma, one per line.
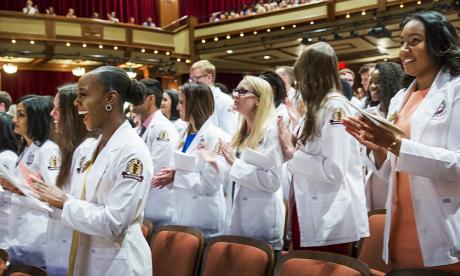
(34,82)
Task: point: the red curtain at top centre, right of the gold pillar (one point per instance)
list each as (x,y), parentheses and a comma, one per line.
(203,9)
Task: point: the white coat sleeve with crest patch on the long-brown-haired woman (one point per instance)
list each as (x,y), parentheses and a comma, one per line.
(328,162)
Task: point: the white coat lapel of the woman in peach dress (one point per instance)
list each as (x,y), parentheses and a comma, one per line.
(426,110)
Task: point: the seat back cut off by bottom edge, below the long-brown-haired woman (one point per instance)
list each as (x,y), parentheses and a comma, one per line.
(316,263)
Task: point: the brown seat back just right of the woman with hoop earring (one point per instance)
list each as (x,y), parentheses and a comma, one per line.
(176,251)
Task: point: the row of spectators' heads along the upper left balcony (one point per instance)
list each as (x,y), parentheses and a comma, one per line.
(31,9)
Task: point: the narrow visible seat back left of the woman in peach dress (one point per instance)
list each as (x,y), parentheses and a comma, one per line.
(370,249)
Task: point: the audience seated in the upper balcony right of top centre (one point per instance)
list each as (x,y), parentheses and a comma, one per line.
(258,7)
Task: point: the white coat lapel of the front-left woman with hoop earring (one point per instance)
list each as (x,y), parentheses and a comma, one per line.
(104,158)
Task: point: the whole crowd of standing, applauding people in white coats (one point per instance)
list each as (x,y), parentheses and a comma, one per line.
(199,158)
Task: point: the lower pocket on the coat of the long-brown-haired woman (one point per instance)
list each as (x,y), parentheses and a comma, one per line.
(333,217)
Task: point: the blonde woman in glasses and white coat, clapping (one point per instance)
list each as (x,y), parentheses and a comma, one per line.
(255,200)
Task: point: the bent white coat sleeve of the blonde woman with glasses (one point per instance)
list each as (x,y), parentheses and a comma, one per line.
(256,178)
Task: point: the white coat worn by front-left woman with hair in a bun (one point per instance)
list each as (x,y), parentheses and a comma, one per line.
(111,240)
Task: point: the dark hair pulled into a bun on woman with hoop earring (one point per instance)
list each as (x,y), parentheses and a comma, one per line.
(116,79)
